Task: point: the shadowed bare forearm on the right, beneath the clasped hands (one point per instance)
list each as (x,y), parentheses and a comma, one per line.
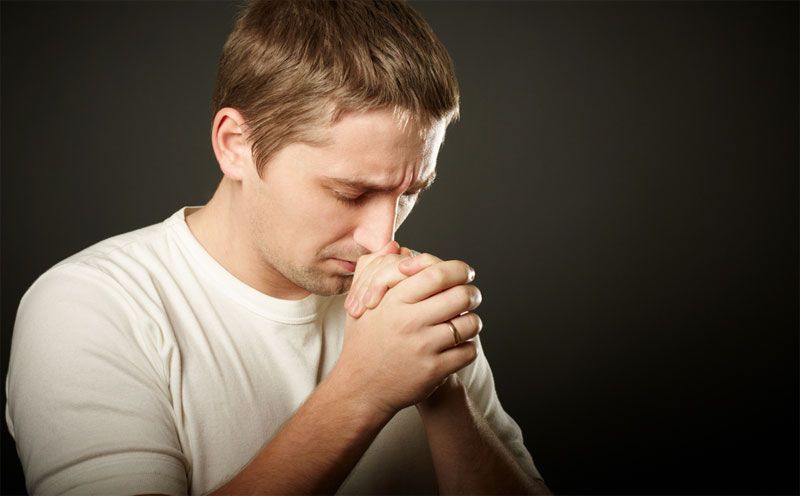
(467,455)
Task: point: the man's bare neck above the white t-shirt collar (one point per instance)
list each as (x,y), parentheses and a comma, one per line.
(223,229)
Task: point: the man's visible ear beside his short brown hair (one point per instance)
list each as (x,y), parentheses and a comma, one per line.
(230,146)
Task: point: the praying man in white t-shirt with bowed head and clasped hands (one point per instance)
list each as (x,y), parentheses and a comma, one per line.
(216,352)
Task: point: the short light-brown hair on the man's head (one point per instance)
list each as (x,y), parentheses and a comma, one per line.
(294,67)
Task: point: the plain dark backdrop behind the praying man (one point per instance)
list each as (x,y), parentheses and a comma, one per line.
(624,178)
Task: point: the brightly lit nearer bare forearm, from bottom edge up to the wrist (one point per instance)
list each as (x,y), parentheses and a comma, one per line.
(316,449)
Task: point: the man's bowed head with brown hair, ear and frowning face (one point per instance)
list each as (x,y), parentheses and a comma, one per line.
(328,120)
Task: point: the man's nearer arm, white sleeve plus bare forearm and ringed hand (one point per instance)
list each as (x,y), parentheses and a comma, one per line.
(91,413)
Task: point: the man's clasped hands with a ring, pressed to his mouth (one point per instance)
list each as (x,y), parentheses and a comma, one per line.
(398,346)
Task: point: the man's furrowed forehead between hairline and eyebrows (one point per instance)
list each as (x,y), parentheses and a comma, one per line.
(377,147)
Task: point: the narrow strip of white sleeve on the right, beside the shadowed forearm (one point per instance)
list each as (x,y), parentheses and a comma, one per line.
(478,379)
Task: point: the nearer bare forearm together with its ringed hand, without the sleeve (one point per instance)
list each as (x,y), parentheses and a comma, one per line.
(390,359)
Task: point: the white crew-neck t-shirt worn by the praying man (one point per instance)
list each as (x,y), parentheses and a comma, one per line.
(140,365)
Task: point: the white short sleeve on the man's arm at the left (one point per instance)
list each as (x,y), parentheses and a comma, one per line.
(88,403)
